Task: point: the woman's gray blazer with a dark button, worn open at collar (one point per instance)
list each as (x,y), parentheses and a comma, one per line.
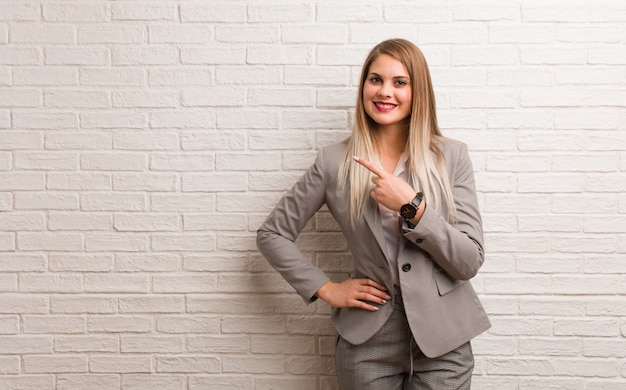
(435,260)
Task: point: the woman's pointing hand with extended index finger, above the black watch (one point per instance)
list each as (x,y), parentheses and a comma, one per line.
(390,191)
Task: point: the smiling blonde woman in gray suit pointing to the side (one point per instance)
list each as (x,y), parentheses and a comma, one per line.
(404,197)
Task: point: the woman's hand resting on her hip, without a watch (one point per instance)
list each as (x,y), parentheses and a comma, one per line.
(354,293)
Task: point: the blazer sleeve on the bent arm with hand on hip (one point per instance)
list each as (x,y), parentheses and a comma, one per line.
(277,235)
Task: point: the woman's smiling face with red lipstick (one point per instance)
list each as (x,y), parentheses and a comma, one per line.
(387,93)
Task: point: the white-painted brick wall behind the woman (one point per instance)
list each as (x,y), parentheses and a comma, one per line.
(143,142)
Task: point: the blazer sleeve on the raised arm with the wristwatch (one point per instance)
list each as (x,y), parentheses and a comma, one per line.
(458,248)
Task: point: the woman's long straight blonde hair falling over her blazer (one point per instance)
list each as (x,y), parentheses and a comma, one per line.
(426,165)
